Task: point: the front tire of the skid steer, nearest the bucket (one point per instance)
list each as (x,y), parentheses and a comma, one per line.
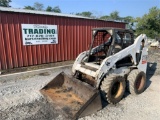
(113,88)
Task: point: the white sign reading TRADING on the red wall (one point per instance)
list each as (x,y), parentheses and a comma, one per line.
(36,34)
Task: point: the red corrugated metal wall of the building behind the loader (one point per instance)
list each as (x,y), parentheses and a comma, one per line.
(74,36)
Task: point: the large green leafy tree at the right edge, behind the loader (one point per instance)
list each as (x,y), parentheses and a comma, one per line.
(149,24)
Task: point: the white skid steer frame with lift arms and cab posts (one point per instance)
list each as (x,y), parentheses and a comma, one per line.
(135,51)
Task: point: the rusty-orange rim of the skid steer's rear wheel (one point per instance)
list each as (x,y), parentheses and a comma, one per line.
(139,82)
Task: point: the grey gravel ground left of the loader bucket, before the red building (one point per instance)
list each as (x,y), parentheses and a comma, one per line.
(20,98)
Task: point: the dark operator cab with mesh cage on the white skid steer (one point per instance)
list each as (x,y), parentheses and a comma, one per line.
(108,41)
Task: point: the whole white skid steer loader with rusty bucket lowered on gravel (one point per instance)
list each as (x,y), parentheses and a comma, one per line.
(114,62)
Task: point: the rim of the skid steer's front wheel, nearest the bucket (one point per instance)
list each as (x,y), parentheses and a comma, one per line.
(116,90)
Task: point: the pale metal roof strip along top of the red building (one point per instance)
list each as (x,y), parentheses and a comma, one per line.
(46,13)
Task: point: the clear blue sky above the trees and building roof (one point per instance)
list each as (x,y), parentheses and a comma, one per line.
(134,8)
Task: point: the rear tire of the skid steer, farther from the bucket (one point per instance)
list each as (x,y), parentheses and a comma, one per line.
(137,81)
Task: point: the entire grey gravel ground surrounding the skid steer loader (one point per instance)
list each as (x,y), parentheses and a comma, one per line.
(20,98)
